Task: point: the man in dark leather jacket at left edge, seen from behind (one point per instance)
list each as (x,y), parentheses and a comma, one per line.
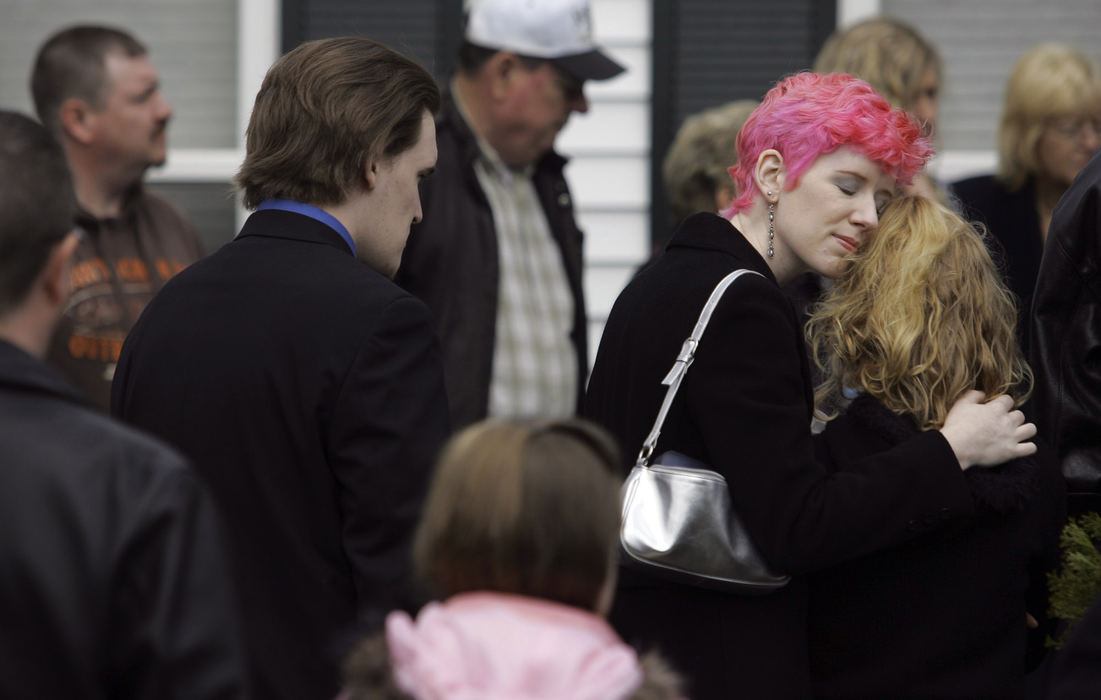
(113,583)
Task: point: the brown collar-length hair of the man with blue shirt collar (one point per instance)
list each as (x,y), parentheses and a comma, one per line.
(328,108)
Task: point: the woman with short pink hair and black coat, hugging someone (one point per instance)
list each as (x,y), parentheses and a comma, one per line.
(816,162)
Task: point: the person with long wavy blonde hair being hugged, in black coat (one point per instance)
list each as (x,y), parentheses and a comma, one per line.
(920,320)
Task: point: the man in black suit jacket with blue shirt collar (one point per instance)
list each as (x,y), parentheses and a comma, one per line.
(306,386)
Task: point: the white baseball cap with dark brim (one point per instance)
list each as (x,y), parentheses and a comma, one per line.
(557,30)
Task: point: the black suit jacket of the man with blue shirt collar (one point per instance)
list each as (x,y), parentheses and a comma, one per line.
(308,389)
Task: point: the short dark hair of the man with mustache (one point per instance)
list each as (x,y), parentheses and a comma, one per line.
(71,64)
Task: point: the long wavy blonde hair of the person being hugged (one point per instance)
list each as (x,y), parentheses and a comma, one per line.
(919,320)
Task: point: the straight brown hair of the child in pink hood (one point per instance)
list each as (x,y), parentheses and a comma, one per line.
(522,508)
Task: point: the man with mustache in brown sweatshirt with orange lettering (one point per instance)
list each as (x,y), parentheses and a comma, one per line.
(97,91)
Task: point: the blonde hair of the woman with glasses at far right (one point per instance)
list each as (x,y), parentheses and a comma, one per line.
(1050,82)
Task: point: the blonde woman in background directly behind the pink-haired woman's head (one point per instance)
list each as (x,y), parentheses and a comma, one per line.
(900,64)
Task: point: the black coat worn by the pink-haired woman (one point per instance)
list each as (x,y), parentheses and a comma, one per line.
(745,409)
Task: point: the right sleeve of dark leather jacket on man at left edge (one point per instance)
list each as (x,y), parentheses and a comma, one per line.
(176,630)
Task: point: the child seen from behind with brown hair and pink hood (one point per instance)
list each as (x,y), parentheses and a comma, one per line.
(518,539)
